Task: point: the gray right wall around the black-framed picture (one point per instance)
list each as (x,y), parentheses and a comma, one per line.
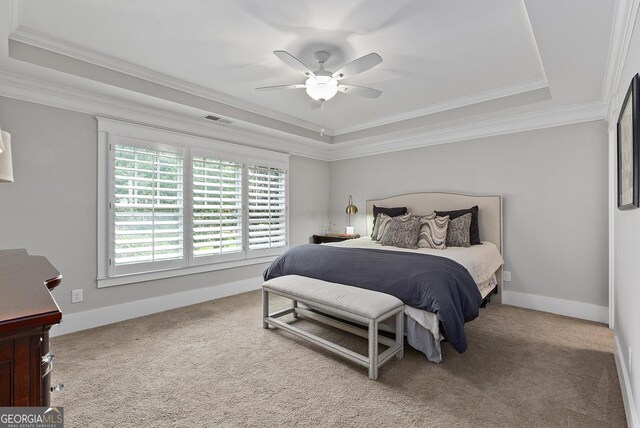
(626,252)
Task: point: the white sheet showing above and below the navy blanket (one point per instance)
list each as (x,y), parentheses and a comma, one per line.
(423,327)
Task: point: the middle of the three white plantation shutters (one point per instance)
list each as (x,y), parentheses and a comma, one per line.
(217,207)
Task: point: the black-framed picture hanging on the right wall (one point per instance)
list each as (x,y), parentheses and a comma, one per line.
(629,148)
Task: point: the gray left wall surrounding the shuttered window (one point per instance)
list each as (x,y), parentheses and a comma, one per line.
(50,209)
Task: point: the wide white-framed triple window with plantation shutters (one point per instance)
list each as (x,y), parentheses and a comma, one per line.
(183,207)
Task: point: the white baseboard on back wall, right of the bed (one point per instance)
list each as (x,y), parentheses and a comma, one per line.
(568,308)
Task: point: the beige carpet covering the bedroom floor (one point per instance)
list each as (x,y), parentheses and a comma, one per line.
(213,365)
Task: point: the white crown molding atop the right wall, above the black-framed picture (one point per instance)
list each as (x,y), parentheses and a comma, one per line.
(624,20)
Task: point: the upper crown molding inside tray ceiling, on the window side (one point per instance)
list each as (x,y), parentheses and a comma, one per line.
(62,47)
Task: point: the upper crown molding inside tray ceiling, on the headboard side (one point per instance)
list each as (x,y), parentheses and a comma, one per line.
(481,97)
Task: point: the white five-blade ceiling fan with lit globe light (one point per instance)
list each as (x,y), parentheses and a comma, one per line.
(322,85)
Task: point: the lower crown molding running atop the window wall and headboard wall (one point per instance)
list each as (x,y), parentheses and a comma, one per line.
(40,92)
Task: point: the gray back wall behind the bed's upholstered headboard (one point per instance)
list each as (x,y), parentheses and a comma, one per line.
(554,185)
